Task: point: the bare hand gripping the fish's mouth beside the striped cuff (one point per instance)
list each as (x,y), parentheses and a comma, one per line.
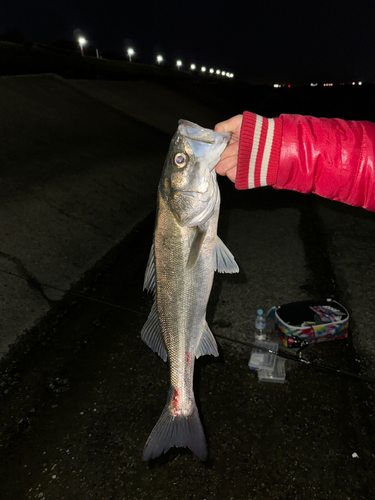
(228,161)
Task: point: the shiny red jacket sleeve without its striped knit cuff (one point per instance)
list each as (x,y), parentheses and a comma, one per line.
(332,158)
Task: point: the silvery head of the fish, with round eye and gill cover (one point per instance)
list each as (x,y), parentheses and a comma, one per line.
(189,179)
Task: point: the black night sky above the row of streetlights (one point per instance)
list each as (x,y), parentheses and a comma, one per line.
(261,41)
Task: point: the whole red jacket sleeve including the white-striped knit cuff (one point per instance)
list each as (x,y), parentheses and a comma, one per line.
(332,158)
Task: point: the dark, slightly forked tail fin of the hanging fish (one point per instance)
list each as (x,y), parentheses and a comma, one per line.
(181,431)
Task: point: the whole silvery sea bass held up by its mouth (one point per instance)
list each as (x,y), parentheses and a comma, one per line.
(185,253)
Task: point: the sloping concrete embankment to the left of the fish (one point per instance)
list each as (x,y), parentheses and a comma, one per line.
(76,176)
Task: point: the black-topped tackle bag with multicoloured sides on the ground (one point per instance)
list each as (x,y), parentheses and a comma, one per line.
(301,323)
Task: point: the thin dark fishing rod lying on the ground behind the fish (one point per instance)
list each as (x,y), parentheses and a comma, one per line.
(291,357)
